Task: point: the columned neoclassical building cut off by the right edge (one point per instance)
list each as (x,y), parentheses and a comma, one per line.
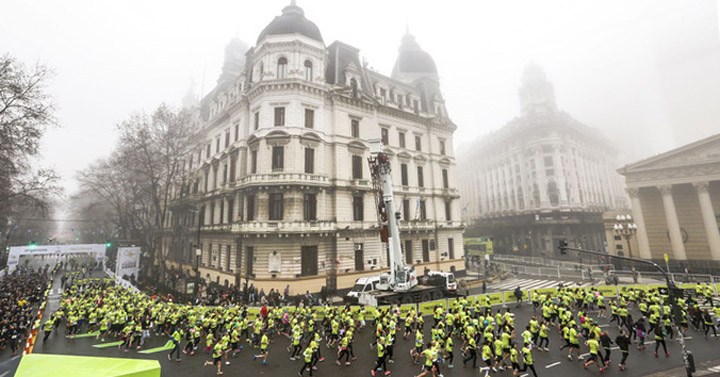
(675,198)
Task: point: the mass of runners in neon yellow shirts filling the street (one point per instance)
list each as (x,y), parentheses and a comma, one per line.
(468,331)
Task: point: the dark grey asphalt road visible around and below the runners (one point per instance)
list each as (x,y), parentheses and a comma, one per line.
(553,363)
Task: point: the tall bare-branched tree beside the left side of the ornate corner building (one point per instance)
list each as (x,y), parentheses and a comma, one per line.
(139,179)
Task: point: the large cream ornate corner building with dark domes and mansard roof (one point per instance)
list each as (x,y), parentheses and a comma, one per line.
(280,184)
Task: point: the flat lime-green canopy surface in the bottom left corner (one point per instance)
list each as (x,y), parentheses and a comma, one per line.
(39,365)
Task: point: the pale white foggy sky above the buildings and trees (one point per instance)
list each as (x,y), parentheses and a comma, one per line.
(643,72)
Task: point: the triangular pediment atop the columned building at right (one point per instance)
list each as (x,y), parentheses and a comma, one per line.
(701,152)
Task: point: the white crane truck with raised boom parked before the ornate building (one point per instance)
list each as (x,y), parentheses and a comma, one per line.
(400,284)
